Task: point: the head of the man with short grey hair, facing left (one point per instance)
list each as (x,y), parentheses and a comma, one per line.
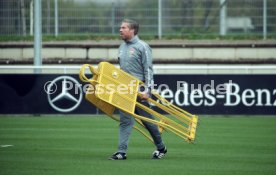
(129,28)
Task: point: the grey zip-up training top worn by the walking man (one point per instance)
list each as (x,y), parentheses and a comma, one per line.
(135,58)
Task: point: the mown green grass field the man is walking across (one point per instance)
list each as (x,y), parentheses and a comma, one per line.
(74,145)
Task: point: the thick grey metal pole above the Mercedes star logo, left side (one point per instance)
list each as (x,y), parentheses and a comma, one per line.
(37,35)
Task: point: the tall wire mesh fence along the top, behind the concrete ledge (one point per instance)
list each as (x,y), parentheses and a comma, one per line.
(157,18)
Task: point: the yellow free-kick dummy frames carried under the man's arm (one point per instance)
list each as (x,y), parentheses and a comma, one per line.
(105,92)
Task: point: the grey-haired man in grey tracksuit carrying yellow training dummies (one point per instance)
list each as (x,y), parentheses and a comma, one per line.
(135,58)
